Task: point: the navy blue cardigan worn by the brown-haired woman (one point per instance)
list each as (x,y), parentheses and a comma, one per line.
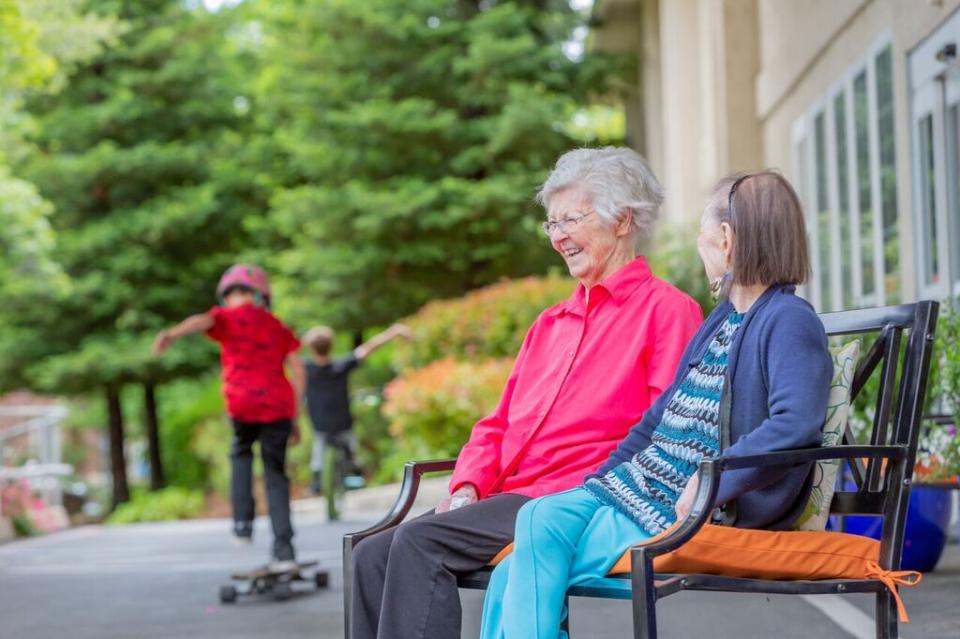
(777,383)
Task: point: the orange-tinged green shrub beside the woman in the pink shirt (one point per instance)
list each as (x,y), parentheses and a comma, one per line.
(422,418)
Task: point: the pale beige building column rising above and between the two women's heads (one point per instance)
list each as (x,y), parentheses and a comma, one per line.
(709,55)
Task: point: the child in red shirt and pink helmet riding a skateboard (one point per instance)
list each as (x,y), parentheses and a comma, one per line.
(262,404)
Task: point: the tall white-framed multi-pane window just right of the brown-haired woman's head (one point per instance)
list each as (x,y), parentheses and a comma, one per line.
(845,168)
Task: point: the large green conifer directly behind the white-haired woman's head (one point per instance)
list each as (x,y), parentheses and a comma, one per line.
(414,136)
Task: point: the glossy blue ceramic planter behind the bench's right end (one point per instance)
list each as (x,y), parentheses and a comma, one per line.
(928,521)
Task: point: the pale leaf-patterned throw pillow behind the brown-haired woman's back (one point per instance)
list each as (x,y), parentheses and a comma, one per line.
(814,516)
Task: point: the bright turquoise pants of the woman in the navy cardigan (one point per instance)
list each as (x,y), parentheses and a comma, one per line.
(561,540)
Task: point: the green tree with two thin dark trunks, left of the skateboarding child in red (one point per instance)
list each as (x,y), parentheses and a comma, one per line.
(143,157)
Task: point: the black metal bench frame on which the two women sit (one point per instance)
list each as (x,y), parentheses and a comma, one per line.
(882,471)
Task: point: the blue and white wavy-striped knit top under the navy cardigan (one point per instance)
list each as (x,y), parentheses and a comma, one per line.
(647,487)
